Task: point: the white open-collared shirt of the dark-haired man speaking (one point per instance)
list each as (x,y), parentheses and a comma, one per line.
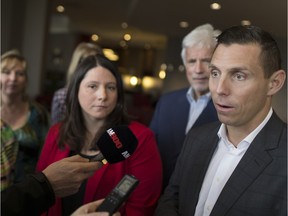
(224,161)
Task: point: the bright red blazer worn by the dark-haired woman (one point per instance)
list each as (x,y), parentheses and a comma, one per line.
(145,164)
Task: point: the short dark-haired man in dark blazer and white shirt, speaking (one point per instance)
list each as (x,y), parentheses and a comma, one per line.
(239,166)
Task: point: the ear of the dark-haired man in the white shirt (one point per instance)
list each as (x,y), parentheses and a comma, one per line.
(276,81)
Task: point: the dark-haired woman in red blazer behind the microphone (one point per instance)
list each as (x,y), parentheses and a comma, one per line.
(95,102)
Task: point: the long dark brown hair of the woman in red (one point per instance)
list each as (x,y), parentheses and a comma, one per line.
(73,130)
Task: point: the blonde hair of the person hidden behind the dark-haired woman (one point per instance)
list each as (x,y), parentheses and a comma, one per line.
(82,50)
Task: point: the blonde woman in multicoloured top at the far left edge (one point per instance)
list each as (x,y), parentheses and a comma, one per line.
(24,123)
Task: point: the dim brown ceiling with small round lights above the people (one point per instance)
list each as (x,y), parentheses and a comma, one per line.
(154,21)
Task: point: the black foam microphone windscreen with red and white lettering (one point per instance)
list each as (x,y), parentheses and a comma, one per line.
(117,143)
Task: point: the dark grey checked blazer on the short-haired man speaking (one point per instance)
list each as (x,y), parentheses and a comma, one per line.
(258,185)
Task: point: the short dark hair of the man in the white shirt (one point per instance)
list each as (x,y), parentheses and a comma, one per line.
(270,54)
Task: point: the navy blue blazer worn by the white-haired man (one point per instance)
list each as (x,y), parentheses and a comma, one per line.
(169,125)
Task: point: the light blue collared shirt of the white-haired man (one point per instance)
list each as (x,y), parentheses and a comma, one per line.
(196,107)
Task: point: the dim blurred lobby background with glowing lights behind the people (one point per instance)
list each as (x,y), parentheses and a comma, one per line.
(150,58)
